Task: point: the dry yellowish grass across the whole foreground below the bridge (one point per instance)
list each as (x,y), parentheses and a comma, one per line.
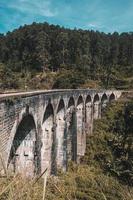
(79,183)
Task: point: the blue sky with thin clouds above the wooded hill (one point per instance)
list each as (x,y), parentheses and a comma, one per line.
(102,15)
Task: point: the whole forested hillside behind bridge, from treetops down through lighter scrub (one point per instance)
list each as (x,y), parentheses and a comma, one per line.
(48,56)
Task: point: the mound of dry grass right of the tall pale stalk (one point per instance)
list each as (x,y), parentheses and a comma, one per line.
(86,183)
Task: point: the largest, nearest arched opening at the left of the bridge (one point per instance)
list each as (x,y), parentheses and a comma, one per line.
(24,154)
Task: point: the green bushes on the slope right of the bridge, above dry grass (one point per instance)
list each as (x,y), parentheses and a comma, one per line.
(111,145)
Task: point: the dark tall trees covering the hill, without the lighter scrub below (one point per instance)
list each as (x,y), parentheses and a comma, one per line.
(42,47)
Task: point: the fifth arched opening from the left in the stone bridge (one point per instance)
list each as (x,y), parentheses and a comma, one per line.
(80,128)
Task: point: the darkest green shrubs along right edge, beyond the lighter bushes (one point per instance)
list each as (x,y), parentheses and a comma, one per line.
(122,145)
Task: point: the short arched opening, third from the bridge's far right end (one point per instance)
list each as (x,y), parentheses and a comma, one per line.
(96,107)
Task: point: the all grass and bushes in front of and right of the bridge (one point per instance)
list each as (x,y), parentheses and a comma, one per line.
(105,173)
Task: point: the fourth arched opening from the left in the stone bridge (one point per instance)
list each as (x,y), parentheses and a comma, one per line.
(71,131)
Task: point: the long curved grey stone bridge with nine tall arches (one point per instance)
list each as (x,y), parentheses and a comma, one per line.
(46,129)
